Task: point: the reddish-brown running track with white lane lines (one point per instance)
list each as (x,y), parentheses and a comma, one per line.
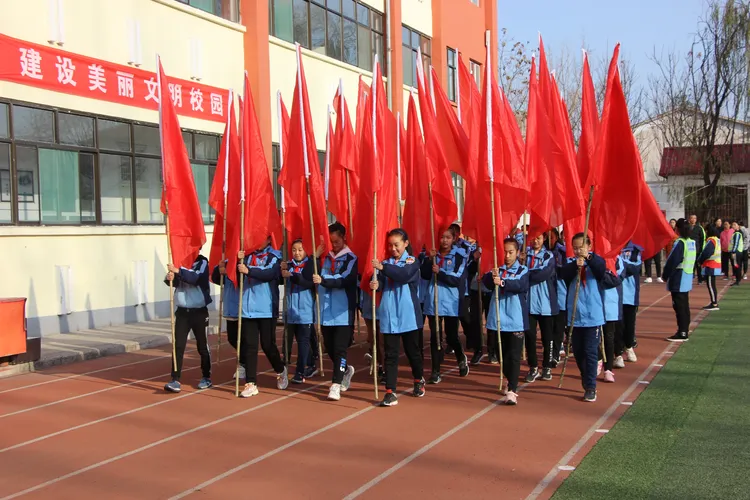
(105,429)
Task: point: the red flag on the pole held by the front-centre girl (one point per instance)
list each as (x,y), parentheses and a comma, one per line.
(377,180)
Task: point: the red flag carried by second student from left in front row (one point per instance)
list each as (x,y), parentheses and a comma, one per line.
(261,217)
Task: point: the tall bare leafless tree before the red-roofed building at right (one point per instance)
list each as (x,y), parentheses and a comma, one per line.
(700,101)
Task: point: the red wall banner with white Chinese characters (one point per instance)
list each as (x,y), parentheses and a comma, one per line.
(53,69)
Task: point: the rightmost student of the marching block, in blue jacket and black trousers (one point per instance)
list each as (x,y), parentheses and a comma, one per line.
(625,340)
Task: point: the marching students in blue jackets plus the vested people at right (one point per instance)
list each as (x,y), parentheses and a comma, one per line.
(535,289)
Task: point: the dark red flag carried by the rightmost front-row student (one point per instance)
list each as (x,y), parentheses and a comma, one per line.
(617,172)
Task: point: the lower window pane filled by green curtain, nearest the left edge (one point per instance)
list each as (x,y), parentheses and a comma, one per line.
(59,186)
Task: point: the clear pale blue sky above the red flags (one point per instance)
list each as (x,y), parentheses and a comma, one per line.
(638,25)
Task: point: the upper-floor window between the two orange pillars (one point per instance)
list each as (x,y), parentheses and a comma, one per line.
(345,30)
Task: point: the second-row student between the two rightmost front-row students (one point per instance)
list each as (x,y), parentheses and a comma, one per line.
(543,308)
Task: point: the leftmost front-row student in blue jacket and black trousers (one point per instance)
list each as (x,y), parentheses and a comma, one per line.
(192,296)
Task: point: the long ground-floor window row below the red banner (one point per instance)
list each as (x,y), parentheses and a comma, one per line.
(77,169)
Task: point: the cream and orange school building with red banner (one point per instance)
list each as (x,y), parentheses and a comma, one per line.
(81,233)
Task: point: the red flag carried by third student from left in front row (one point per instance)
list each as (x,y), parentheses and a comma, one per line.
(301,167)
